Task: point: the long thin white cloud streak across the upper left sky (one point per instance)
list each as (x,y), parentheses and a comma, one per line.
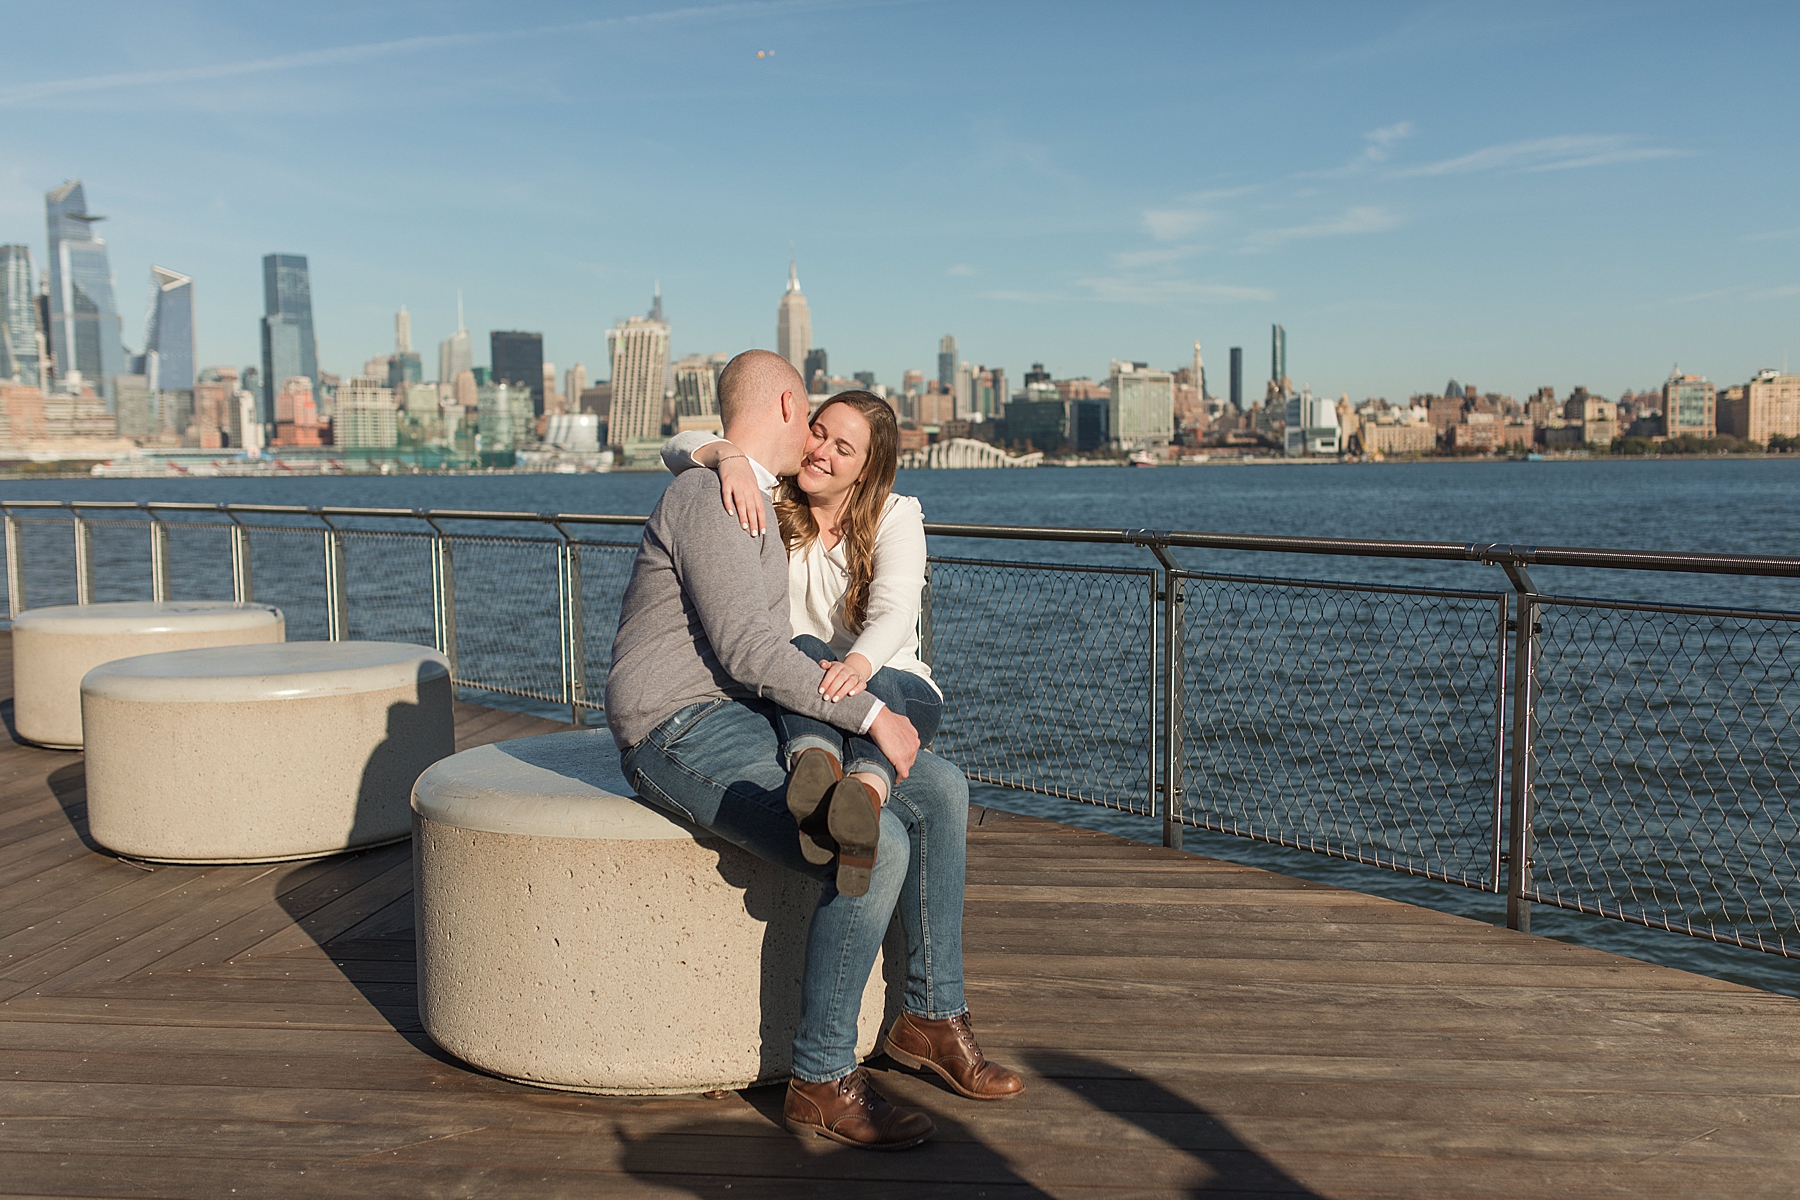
(343,55)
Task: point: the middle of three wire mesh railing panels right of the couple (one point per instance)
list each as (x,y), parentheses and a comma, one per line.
(1360,722)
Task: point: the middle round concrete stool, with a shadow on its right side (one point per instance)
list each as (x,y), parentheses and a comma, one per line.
(262,753)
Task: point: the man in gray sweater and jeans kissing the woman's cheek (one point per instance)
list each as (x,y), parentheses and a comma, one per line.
(701,661)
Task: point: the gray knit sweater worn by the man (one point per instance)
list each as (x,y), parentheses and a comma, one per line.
(706,616)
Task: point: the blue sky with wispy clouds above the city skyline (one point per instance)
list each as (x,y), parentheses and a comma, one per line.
(1515,195)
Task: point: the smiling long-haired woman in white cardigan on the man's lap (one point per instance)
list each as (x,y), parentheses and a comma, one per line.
(856,573)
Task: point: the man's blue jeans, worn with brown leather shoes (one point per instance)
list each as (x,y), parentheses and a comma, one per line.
(719,766)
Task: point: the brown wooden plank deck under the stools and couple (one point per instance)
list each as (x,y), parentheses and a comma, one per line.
(1187,1026)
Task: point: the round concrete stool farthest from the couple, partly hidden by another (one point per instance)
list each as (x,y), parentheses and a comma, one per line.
(53,649)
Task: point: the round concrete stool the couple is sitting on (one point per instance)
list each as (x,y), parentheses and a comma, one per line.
(577,938)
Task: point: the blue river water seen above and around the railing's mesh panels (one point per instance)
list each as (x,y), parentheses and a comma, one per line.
(1750,506)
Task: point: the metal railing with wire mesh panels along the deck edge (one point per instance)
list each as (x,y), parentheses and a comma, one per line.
(1619,758)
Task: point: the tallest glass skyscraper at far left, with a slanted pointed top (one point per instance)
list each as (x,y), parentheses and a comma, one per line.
(85,328)
